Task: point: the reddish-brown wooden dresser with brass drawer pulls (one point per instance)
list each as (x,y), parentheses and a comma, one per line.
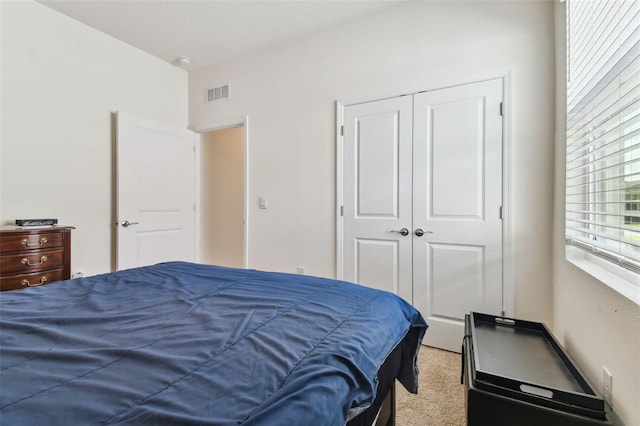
(31,257)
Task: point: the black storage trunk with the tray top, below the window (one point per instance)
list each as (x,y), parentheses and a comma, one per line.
(516,373)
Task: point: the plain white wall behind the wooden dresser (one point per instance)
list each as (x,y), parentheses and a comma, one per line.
(61,80)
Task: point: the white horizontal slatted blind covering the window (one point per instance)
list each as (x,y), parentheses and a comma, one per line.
(603,129)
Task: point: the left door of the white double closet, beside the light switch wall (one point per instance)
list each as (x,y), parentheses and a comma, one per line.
(377,195)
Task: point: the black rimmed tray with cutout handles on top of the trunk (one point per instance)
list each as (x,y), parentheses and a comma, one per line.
(522,360)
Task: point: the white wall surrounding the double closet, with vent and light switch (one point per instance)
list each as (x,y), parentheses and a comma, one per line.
(289,93)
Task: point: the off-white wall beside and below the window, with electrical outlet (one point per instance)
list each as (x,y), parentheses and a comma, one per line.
(597,325)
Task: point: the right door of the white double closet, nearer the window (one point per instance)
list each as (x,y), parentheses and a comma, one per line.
(457,172)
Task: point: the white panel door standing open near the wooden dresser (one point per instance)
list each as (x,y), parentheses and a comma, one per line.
(155,193)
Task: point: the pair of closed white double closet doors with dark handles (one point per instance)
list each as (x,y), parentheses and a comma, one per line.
(430,163)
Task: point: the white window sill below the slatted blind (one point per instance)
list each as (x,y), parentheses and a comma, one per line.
(623,281)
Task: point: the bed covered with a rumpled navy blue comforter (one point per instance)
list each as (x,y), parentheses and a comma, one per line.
(183,343)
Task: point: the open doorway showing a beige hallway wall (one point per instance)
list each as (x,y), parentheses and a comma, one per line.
(221,238)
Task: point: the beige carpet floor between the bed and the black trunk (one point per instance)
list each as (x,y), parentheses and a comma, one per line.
(440,398)
